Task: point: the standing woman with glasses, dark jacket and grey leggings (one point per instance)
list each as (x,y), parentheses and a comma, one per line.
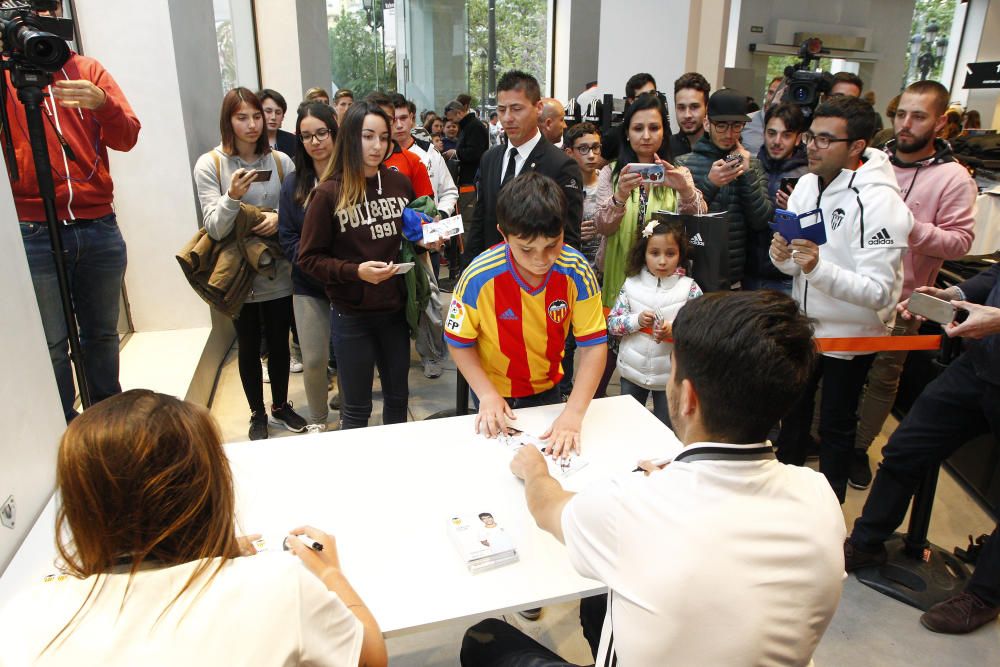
(316,129)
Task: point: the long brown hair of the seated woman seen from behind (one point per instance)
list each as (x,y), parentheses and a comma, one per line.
(143,477)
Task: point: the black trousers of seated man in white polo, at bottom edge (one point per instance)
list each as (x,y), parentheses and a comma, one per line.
(494,643)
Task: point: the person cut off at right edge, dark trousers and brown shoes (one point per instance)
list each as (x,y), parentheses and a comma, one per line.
(963,402)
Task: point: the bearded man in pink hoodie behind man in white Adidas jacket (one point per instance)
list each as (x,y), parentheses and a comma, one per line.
(942,197)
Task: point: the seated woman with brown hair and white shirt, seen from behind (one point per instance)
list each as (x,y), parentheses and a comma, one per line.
(154,567)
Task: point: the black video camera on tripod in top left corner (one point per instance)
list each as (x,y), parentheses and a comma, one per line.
(31,41)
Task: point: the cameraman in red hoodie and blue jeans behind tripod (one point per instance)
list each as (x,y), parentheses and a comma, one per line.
(87,114)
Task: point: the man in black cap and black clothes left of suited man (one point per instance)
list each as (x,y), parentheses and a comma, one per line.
(473,141)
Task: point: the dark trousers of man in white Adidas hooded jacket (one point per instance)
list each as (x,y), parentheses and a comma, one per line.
(843,380)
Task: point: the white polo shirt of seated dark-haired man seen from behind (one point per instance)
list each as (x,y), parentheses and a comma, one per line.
(724,557)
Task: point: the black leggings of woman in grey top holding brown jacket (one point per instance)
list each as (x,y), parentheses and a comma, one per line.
(276,317)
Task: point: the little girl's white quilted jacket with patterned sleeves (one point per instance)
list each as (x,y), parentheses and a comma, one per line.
(641,359)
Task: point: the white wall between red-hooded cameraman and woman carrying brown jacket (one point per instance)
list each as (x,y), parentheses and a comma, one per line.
(165,60)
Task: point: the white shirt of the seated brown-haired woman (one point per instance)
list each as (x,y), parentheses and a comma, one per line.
(260,610)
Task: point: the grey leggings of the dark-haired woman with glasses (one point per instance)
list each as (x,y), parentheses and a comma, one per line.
(312,317)
